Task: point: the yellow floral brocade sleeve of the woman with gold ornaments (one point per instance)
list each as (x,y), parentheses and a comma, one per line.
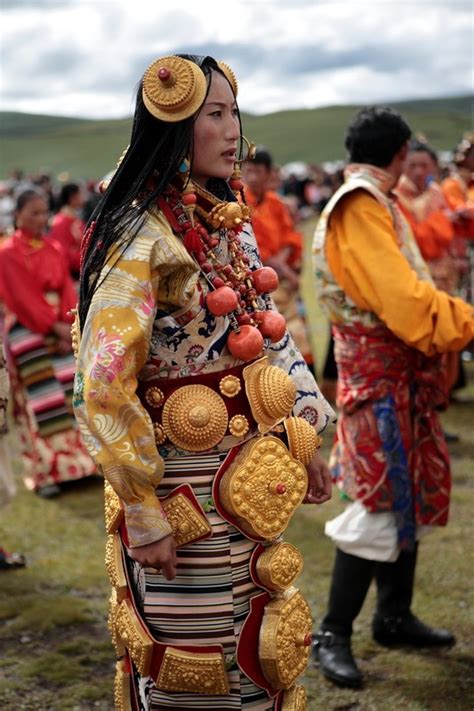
(115,427)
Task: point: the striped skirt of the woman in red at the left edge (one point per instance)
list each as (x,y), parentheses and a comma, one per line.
(42,383)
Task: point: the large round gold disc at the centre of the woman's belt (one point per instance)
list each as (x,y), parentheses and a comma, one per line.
(195,418)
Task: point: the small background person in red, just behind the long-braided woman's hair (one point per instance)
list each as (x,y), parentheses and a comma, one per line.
(67,227)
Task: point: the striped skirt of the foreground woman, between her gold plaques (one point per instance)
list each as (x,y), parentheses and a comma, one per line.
(208,600)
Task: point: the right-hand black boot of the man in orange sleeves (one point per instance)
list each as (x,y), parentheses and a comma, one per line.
(394,623)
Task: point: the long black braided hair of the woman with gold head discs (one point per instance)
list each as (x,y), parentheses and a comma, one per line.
(157,148)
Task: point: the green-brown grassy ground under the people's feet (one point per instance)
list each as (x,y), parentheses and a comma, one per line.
(55,652)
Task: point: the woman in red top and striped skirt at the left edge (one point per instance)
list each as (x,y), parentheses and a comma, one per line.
(38,295)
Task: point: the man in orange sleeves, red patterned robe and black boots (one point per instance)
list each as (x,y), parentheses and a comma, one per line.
(390,325)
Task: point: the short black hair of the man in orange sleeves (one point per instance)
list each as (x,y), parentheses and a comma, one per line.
(375,136)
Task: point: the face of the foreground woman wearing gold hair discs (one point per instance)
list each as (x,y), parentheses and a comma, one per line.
(216,133)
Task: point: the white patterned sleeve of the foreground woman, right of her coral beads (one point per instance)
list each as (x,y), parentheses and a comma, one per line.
(310,402)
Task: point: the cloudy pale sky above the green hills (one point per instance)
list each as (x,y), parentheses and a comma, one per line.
(84,57)
